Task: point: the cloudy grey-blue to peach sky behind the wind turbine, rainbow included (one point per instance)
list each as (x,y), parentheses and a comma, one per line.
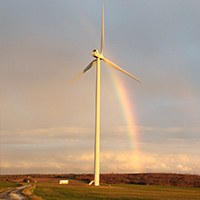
(148,127)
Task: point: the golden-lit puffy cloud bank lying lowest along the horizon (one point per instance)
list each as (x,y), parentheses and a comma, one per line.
(110,161)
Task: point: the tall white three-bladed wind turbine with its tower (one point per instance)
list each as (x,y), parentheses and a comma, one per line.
(99,56)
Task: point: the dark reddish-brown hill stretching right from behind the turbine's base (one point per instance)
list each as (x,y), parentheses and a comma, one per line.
(164,179)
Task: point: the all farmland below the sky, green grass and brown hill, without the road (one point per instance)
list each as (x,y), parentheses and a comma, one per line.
(113,186)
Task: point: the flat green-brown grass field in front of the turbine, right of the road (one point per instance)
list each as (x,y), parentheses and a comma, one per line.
(115,192)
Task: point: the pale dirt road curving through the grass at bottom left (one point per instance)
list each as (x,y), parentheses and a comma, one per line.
(14,193)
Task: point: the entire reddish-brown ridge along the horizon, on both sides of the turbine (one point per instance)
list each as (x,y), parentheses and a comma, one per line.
(164,179)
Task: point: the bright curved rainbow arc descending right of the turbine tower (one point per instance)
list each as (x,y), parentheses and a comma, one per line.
(130,119)
